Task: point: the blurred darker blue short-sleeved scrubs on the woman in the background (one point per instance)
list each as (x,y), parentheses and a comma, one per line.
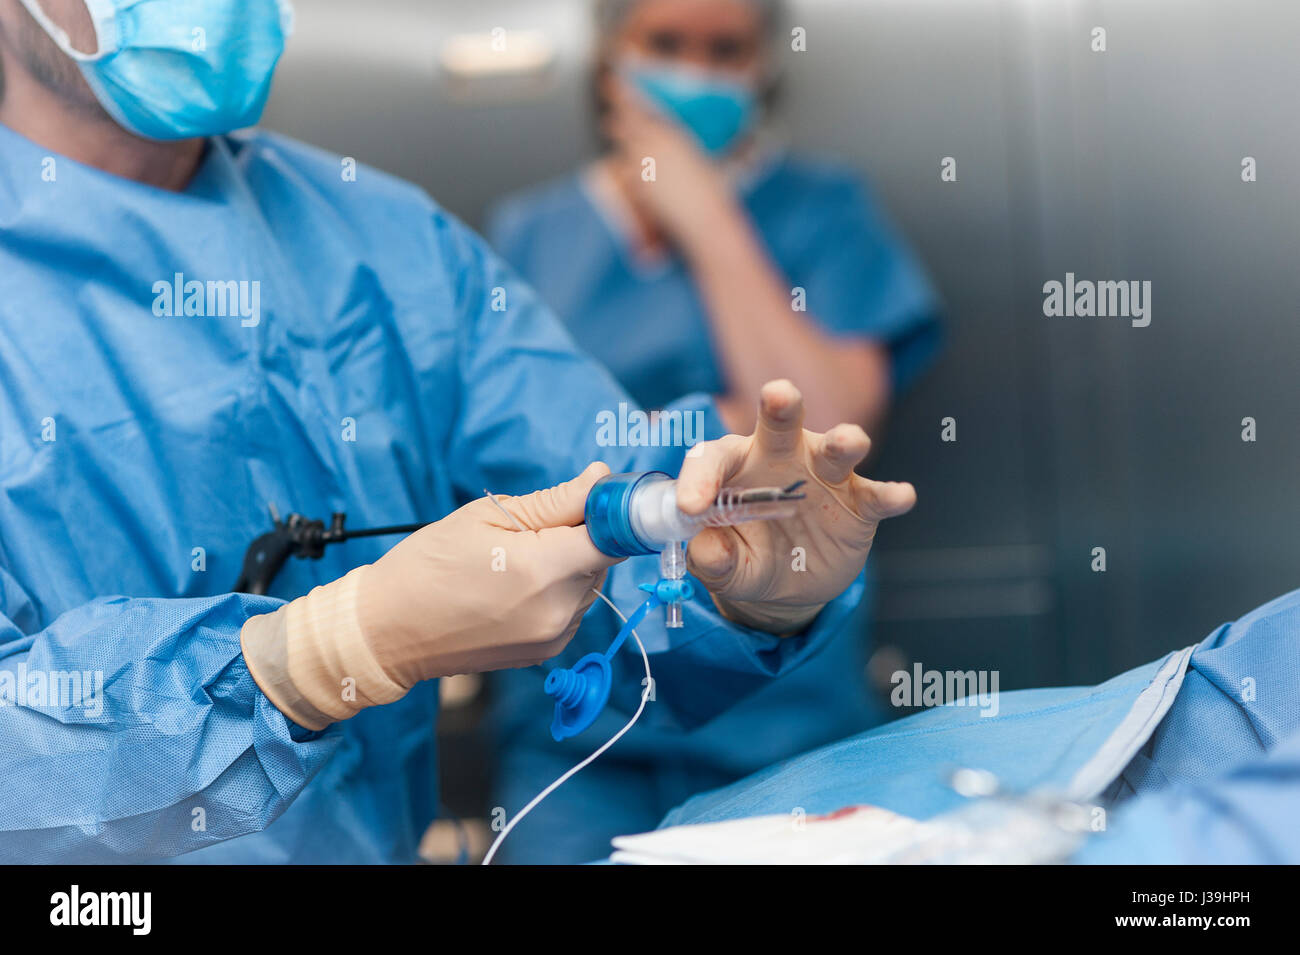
(647,324)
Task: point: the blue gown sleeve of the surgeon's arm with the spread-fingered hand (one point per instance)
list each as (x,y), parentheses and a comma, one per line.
(530,416)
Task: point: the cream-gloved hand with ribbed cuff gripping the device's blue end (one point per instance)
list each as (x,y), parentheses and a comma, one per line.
(470,593)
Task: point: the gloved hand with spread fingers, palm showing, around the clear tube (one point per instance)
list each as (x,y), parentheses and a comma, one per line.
(778,575)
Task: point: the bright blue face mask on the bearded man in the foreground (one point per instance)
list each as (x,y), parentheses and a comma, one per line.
(175,70)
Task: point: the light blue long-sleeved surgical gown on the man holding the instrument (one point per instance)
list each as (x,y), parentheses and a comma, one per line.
(393,370)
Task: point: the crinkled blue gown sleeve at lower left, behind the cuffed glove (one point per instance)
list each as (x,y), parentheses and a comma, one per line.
(131,731)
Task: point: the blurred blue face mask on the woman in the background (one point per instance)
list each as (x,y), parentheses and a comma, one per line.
(718,110)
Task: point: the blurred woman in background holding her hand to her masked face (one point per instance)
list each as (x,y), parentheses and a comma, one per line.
(738,263)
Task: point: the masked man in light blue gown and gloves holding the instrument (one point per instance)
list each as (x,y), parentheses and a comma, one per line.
(194,325)
